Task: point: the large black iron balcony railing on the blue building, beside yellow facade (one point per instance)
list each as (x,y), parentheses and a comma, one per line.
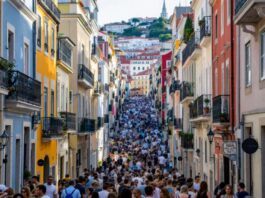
(24,88)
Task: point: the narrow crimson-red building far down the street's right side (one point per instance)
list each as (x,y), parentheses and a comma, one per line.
(165,62)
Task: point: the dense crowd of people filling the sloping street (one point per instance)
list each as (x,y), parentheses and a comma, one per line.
(138,166)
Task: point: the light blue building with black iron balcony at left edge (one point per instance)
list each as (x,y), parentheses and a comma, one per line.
(23,98)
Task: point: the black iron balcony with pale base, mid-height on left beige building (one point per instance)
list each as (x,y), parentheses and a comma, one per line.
(85,76)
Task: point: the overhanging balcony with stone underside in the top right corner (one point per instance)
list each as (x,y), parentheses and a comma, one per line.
(249,11)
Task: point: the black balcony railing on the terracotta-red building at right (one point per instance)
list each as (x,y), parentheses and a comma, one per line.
(221,110)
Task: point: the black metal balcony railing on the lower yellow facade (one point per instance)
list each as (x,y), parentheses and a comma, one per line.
(52,127)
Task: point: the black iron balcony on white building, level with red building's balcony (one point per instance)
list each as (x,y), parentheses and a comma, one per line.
(200,109)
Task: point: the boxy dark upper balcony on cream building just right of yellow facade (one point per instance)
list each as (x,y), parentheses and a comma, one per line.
(64,52)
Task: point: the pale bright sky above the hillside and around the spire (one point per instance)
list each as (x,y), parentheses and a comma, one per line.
(118,10)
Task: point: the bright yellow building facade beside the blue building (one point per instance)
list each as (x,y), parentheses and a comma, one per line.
(49,129)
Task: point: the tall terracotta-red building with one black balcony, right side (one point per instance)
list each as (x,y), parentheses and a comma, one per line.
(224,85)
